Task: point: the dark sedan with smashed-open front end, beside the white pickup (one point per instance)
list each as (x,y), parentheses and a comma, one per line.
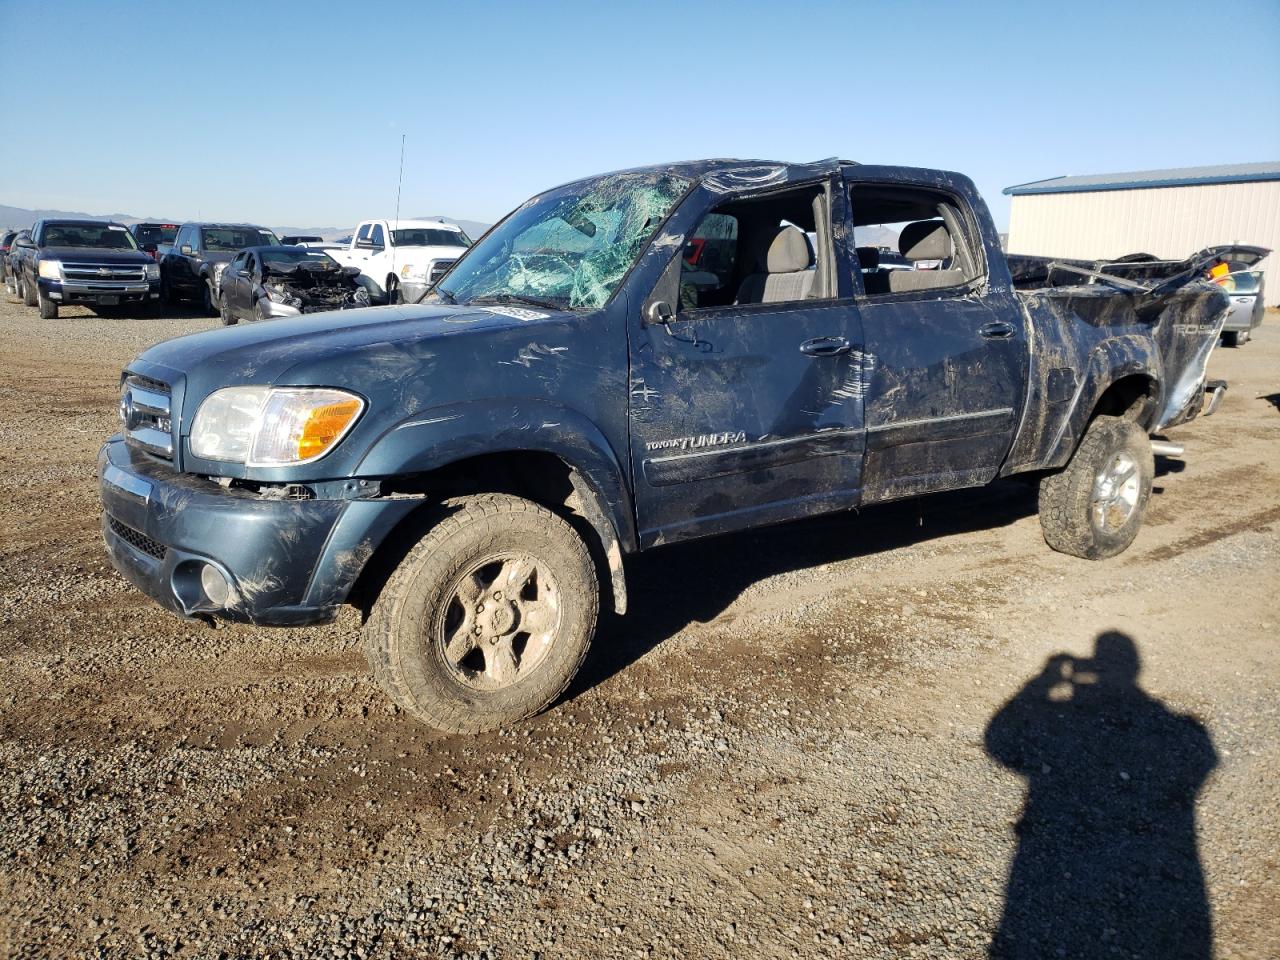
(263,284)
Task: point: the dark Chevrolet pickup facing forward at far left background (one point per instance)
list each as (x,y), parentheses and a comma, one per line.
(88,263)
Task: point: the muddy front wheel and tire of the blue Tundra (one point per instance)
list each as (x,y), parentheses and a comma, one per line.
(488,619)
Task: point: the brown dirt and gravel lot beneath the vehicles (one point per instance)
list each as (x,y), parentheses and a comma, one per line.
(815,740)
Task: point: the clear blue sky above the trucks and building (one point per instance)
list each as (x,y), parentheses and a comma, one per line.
(292,113)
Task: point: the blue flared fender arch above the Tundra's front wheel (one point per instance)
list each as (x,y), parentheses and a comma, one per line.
(435,438)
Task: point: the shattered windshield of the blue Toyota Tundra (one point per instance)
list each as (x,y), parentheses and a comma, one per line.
(570,248)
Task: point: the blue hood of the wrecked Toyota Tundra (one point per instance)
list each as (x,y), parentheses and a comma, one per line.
(356,350)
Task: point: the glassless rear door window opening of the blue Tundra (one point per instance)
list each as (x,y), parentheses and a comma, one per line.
(915,241)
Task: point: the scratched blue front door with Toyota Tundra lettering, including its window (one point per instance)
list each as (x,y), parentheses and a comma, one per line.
(747,406)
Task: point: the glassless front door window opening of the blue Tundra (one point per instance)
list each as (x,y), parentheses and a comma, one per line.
(774,249)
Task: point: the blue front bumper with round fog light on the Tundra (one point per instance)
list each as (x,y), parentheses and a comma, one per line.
(287,563)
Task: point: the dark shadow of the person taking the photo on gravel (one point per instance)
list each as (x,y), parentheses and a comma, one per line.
(1108,862)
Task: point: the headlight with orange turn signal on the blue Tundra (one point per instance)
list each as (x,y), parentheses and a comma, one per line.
(266,427)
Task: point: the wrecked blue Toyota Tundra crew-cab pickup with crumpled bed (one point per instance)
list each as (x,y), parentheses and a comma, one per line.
(473,470)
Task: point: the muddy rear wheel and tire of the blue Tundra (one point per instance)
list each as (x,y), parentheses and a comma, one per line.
(1094,509)
